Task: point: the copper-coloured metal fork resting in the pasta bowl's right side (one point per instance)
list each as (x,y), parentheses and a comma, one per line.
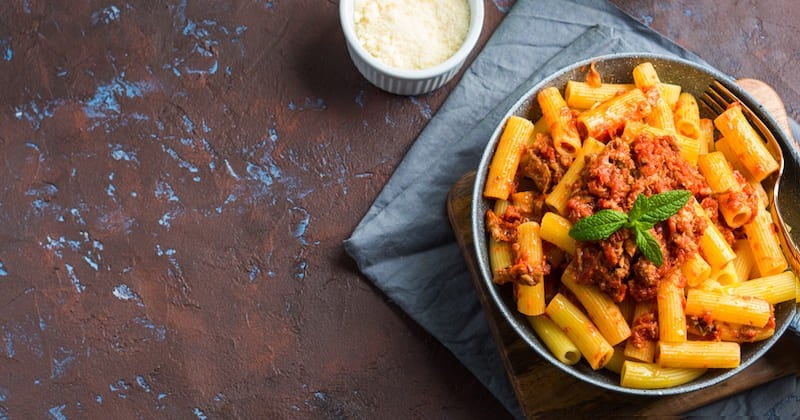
(717,97)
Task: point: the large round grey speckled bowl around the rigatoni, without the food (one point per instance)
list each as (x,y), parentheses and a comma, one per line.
(693,78)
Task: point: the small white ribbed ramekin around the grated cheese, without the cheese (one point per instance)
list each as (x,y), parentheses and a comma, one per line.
(408,82)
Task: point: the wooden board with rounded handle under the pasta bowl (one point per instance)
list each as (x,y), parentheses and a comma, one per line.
(544,390)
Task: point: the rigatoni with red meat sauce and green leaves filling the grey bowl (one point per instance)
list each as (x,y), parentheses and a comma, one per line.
(590,232)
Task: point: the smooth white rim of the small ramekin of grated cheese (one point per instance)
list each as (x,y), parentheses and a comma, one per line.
(473,35)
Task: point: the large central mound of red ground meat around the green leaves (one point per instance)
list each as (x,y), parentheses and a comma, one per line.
(612,180)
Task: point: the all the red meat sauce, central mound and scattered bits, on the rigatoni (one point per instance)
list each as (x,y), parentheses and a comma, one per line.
(612,179)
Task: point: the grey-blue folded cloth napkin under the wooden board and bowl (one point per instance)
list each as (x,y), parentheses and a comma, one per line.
(405,244)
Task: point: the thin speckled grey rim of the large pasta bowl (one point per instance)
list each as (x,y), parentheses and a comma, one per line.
(478,226)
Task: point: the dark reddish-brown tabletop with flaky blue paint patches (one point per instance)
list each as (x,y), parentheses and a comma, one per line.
(176,182)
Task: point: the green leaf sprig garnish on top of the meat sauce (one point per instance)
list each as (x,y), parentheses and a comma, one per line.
(645,213)
